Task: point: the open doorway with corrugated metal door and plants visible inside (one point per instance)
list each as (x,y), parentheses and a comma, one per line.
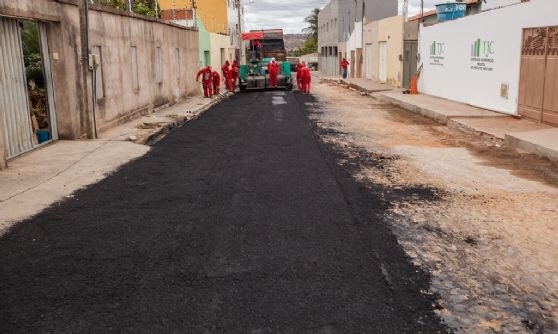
(27,114)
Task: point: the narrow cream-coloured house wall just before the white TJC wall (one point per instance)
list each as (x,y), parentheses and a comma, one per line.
(390,30)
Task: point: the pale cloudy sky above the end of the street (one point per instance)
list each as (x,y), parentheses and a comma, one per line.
(289,14)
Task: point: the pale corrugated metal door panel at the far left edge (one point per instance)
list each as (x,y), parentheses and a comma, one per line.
(14,105)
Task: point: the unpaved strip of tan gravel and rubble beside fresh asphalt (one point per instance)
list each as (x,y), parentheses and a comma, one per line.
(487,228)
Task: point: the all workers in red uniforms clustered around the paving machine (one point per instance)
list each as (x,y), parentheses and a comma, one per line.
(211,79)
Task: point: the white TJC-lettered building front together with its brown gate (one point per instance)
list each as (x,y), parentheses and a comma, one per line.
(510,68)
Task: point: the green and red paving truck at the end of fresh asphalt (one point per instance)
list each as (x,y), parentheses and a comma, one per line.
(262,46)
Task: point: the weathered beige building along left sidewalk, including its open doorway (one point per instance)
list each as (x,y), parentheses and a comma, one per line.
(91,79)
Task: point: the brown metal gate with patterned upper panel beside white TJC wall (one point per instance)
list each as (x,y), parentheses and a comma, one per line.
(538,85)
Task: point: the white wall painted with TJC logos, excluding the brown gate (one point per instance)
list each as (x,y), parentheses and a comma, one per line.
(451,75)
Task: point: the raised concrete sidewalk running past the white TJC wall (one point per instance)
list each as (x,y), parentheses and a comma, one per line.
(519,134)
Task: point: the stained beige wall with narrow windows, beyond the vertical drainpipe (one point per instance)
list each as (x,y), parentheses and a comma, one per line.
(158,84)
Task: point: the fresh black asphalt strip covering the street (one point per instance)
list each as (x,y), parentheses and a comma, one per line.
(238,222)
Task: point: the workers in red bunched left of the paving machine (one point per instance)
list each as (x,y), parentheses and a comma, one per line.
(211,79)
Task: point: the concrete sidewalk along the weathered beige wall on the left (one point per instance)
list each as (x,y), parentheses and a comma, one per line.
(46,175)
